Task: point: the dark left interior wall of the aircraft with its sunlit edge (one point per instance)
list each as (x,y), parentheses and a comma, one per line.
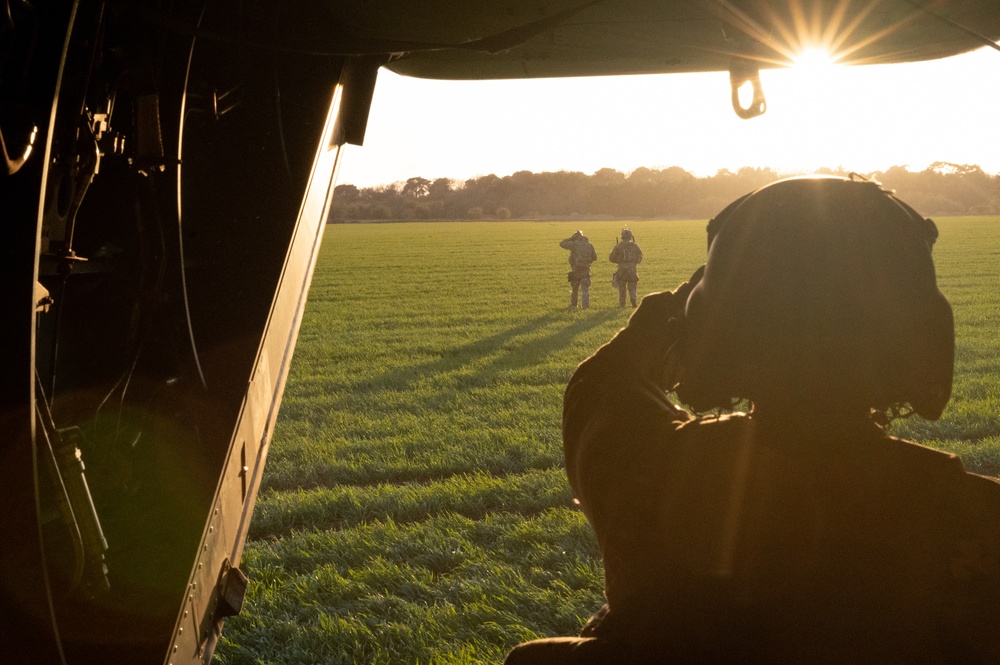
(160,234)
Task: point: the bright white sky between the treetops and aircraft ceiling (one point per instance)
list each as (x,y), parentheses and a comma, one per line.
(862,118)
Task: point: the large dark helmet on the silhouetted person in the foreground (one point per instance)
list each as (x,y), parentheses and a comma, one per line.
(819,291)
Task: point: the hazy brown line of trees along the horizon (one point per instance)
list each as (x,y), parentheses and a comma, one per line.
(941,189)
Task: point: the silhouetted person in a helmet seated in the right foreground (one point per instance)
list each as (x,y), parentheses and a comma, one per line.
(798,531)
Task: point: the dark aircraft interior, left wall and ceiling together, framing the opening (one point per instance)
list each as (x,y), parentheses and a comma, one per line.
(168,171)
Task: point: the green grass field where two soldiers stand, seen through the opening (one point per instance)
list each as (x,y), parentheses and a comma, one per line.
(414,507)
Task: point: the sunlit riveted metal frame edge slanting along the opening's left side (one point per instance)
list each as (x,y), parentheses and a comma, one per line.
(216,586)
